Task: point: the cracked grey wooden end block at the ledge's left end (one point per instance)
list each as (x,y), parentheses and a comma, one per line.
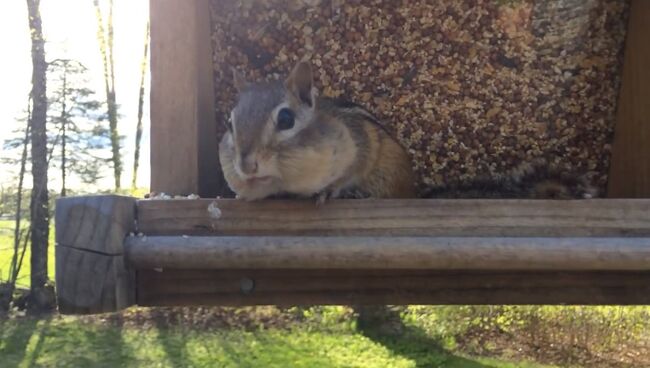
(91,275)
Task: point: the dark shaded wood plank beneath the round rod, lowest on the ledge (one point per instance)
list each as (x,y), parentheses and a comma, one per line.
(312,287)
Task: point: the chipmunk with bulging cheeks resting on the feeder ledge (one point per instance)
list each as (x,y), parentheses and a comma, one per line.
(284,139)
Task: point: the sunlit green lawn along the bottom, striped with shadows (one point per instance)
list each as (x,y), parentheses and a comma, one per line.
(69,342)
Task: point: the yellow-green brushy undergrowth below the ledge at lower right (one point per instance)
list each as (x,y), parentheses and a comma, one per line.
(568,330)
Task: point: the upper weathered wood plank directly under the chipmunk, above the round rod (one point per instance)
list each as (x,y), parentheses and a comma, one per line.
(419,217)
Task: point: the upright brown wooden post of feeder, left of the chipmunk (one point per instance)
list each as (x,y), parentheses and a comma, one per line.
(184,142)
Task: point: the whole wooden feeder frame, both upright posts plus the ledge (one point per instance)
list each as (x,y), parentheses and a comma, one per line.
(113,252)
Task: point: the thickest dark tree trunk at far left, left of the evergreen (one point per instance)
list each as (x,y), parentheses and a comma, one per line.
(39,201)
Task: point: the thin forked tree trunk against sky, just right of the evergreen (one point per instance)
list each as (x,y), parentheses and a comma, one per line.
(106,50)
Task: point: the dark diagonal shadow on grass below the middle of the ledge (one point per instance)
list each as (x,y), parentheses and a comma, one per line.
(414,344)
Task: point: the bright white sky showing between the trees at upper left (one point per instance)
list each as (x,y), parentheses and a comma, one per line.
(70,29)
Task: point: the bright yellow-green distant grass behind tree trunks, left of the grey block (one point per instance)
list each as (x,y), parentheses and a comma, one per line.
(6,251)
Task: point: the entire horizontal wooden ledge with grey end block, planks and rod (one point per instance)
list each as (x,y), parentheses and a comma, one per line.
(113,252)
